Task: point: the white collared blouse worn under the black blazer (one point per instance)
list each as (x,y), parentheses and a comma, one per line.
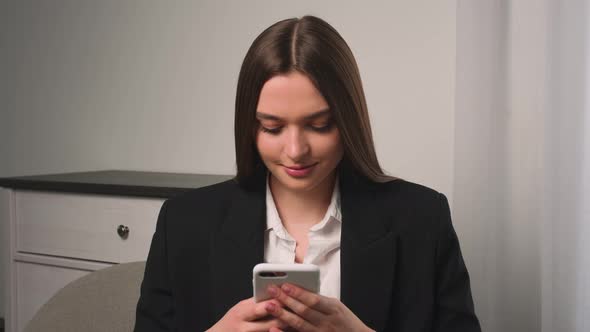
(324,242)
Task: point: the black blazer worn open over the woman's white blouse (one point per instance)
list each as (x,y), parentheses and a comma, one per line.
(401,266)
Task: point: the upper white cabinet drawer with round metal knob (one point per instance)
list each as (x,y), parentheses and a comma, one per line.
(85,226)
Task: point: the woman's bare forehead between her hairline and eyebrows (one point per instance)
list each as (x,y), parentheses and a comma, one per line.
(291,95)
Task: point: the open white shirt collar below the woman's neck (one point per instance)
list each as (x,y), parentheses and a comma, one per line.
(273,220)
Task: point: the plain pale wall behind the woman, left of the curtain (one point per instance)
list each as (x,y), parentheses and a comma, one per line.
(149,85)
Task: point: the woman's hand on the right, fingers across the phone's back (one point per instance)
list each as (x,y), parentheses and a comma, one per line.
(311,312)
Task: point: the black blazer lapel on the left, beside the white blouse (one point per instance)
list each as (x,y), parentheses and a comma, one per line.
(236,247)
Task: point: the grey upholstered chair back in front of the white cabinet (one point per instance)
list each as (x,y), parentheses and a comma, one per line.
(104,300)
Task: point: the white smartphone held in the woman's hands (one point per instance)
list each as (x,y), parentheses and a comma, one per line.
(266,274)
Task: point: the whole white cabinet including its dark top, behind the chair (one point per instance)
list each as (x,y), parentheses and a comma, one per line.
(56,228)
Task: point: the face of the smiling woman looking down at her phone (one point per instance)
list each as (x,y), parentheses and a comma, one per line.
(297,139)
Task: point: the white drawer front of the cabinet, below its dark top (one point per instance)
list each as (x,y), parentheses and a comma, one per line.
(53,238)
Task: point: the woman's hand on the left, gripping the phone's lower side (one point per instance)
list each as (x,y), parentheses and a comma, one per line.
(249,316)
